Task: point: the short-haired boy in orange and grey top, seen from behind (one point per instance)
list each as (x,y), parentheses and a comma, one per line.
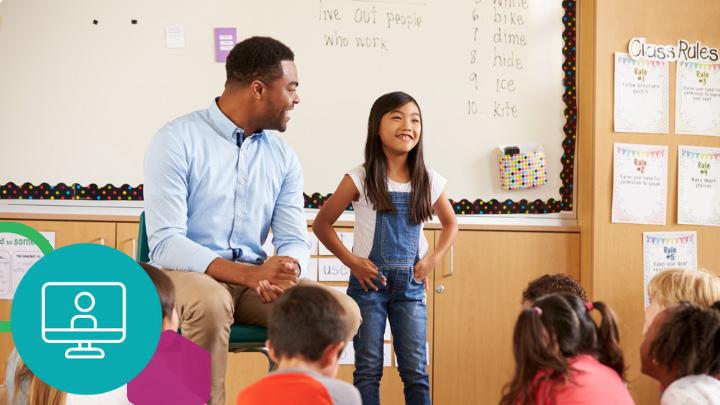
(306,336)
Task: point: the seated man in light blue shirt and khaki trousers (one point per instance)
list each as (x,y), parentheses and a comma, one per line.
(216,181)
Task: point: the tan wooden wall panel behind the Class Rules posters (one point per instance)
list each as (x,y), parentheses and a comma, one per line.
(616,263)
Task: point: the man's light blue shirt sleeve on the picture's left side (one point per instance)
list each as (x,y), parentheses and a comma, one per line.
(166,210)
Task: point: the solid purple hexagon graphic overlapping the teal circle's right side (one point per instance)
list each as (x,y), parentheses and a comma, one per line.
(178,373)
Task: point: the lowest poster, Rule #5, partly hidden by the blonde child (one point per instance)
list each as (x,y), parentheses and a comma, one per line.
(667,250)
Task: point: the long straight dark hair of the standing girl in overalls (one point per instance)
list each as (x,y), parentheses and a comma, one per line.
(376,163)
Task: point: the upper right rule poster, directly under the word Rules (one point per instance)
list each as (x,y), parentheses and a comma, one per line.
(697,99)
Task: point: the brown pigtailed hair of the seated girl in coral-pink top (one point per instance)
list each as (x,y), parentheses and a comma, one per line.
(546,339)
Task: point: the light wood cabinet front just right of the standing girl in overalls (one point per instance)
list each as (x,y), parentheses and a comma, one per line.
(476,313)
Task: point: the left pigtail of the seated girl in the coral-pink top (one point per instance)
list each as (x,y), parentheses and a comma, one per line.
(535,349)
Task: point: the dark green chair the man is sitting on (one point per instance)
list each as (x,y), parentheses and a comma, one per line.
(243,338)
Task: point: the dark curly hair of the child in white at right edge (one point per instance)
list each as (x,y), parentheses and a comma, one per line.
(688,342)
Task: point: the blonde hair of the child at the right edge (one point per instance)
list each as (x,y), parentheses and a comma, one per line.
(671,286)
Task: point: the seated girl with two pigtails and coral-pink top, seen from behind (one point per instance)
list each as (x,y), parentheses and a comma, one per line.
(562,356)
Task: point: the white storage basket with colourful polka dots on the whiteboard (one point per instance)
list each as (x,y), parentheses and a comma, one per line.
(523,170)
